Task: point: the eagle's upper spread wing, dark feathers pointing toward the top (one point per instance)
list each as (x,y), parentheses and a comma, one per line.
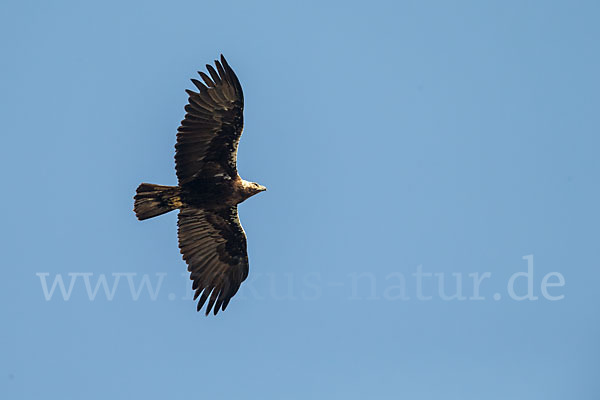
(208,137)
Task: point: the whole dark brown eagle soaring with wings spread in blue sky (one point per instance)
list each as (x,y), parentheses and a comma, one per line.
(211,238)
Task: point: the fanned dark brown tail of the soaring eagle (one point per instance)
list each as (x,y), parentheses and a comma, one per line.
(154,200)
